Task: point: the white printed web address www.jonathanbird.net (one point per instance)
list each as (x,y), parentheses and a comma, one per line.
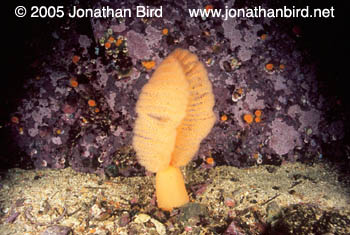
(259,11)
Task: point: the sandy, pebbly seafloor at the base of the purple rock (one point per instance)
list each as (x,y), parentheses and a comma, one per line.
(291,199)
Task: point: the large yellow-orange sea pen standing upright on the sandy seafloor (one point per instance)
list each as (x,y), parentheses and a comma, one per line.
(174,114)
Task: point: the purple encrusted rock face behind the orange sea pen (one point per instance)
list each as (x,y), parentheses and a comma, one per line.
(58,128)
